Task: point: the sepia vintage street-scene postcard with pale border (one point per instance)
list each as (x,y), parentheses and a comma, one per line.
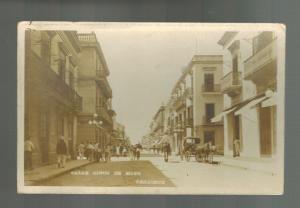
(150,108)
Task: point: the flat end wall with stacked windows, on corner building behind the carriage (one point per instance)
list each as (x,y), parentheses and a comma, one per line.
(207,98)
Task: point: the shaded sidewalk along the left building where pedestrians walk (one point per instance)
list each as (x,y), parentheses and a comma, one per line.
(50,171)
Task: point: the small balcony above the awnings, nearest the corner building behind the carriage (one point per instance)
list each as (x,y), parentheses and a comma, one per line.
(231,84)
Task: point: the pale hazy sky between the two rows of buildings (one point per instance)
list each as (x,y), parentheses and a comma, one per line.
(145,64)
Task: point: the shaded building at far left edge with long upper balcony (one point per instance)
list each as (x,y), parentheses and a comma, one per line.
(52,103)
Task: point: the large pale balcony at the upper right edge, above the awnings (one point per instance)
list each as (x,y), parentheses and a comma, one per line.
(262,64)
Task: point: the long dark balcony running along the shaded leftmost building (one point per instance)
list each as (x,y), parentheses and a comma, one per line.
(45,78)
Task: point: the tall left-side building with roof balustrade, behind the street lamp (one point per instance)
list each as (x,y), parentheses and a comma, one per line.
(95,120)
